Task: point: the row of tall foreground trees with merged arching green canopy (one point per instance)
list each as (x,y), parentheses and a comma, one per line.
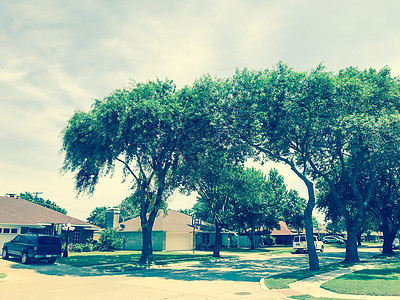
(338,132)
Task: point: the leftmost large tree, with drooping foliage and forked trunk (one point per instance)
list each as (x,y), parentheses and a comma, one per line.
(141,128)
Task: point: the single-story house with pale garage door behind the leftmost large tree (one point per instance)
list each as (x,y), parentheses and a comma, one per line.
(172,231)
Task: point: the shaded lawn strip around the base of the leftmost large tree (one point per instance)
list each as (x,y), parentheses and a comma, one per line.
(123,260)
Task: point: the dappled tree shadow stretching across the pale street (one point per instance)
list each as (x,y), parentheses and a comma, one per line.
(243,270)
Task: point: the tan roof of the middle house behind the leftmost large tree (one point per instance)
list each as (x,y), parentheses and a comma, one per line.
(171,221)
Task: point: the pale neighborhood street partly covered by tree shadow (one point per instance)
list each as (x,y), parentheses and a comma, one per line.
(235,279)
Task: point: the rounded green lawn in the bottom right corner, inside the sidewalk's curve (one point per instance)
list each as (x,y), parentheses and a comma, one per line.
(384,280)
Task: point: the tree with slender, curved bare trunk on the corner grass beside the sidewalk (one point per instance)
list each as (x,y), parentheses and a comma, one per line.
(276,112)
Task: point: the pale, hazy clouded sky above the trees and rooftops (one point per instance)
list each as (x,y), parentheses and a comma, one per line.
(57,57)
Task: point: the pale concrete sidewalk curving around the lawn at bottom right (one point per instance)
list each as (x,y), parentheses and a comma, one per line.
(312,286)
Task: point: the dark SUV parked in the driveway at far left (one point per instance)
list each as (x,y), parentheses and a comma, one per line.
(33,246)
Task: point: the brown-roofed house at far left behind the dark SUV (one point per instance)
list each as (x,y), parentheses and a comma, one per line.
(21,216)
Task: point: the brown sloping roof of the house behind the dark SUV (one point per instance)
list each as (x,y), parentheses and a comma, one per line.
(22,212)
